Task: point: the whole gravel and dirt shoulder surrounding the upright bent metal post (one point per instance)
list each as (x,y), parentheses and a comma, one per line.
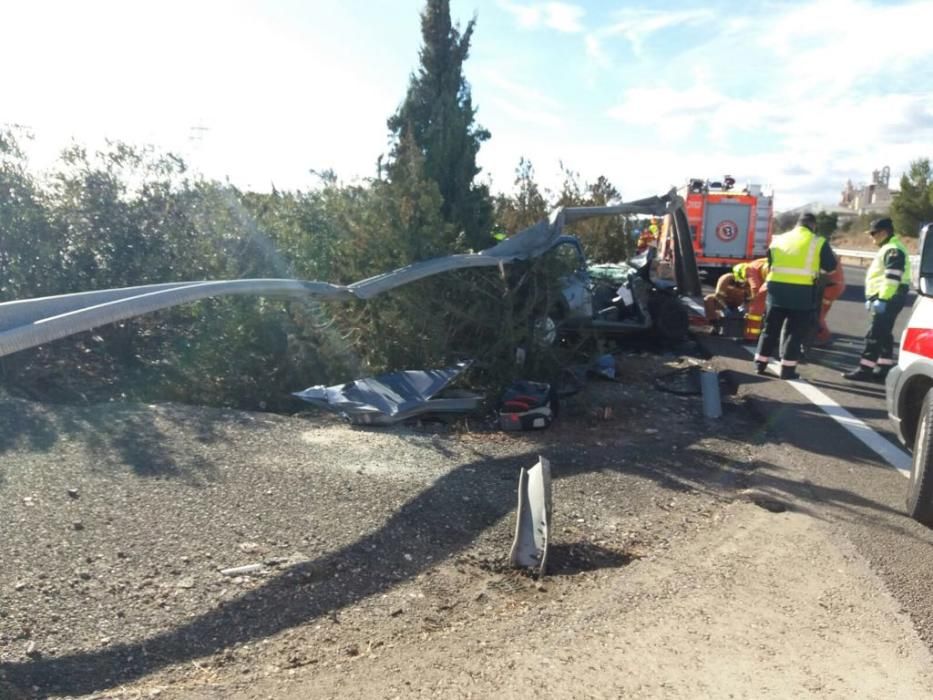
(381,559)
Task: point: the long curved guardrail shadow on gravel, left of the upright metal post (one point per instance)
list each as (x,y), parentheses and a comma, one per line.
(421,528)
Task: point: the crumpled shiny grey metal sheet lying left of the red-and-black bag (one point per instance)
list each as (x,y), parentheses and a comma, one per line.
(393,397)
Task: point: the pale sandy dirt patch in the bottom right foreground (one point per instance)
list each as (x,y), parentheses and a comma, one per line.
(731,612)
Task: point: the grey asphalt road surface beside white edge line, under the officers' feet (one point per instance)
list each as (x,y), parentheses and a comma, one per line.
(815,463)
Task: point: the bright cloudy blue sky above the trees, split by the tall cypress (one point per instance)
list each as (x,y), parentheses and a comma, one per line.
(797,95)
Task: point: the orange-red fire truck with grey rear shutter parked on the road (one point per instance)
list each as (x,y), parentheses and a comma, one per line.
(727,225)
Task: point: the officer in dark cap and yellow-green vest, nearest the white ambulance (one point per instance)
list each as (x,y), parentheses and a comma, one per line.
(886,285)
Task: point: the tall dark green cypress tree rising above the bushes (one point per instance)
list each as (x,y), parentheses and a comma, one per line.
(438,115)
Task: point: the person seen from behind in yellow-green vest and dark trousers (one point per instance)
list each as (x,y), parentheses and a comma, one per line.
(795,259)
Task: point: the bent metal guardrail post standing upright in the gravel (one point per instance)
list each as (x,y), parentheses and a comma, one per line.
(533,518)
